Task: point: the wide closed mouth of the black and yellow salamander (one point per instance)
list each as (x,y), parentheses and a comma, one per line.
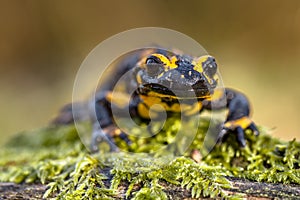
(179,93)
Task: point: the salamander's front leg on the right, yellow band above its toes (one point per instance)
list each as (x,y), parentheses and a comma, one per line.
(238,119)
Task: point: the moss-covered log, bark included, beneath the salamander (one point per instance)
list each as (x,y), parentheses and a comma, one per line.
(57,164)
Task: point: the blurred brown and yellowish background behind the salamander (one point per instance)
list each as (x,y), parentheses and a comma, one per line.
(43,43)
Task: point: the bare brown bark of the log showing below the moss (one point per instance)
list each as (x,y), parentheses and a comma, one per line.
(251,190)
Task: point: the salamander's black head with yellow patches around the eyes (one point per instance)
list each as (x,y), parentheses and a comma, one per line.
(179,76)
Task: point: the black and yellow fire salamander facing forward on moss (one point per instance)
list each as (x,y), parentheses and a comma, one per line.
(157,76)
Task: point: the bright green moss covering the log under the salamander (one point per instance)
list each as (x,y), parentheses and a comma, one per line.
(56,156)
